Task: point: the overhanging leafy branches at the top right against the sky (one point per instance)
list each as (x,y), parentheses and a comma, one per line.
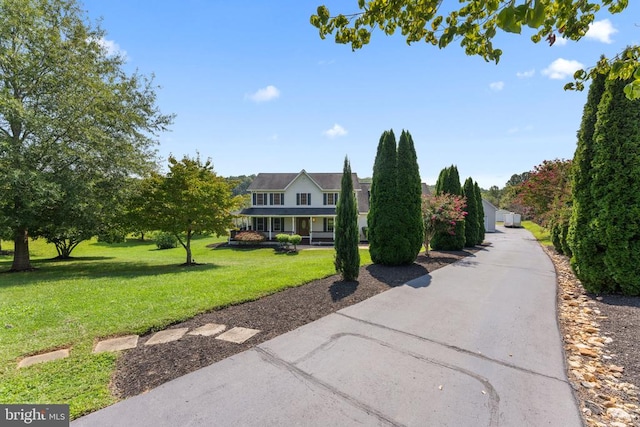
(475,24)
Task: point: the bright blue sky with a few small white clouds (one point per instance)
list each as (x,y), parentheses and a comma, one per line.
(255,89)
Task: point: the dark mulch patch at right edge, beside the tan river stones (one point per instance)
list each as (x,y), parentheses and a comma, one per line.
(622,324)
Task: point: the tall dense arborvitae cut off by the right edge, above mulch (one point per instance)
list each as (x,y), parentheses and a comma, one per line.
(616,186)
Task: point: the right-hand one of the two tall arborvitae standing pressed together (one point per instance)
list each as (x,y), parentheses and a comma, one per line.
(409,231)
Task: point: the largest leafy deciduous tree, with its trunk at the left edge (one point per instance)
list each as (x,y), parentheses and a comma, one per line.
(65,103)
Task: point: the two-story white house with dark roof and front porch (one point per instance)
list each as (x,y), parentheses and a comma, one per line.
(301,203)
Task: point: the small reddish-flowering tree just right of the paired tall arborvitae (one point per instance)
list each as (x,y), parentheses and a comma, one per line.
(440,214)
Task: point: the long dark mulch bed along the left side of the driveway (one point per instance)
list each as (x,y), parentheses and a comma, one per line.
(143,368)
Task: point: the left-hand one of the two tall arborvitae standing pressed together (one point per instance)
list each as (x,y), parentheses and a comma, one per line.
(382,218)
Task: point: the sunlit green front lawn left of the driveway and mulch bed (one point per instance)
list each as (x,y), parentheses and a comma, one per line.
(110,290)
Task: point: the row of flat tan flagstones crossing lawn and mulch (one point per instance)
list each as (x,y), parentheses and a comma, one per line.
(236,335)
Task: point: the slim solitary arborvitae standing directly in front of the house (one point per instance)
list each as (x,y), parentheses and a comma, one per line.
(347,259)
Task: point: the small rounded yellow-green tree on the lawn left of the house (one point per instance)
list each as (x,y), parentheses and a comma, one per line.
(190,200)
